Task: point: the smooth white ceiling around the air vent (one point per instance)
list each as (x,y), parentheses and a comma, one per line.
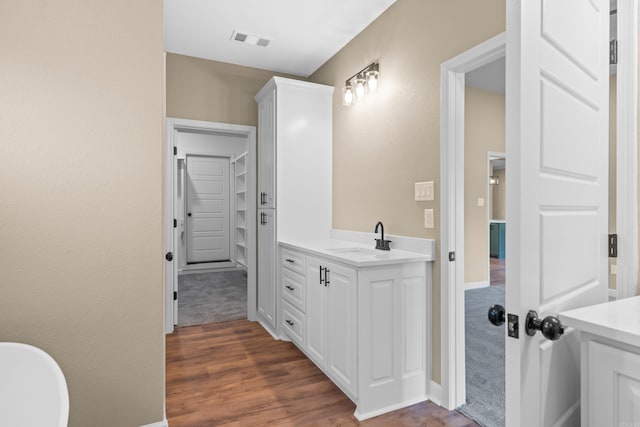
(304,34)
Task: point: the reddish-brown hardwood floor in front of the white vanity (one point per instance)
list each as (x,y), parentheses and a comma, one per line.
(235,374)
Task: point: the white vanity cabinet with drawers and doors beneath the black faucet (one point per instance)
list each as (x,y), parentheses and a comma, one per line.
(364,324)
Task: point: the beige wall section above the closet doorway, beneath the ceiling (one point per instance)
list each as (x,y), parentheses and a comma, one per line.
(199,89)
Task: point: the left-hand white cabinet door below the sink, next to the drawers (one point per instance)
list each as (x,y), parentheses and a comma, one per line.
(316,339)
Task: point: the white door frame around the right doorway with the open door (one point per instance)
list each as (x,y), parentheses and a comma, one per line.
(452,91)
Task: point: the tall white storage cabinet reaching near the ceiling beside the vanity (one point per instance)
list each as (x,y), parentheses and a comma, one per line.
(294,176)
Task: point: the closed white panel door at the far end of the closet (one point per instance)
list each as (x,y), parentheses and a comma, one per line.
(207,224)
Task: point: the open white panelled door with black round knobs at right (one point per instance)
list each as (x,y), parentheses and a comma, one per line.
(557,139)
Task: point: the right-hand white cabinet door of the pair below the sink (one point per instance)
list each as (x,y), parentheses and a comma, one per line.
(341,325)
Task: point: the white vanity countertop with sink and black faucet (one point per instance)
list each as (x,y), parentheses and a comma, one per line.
(355,254)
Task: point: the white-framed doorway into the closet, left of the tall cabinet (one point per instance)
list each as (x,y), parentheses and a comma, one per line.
(210,174)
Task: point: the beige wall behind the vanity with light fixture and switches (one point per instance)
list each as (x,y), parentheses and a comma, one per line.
(384,145)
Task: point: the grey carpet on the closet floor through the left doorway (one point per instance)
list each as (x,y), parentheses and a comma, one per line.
(212,297)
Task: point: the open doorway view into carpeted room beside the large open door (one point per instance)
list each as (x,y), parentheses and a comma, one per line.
(484,237)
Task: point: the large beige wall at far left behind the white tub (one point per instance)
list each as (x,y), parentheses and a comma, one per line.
(81,212)
